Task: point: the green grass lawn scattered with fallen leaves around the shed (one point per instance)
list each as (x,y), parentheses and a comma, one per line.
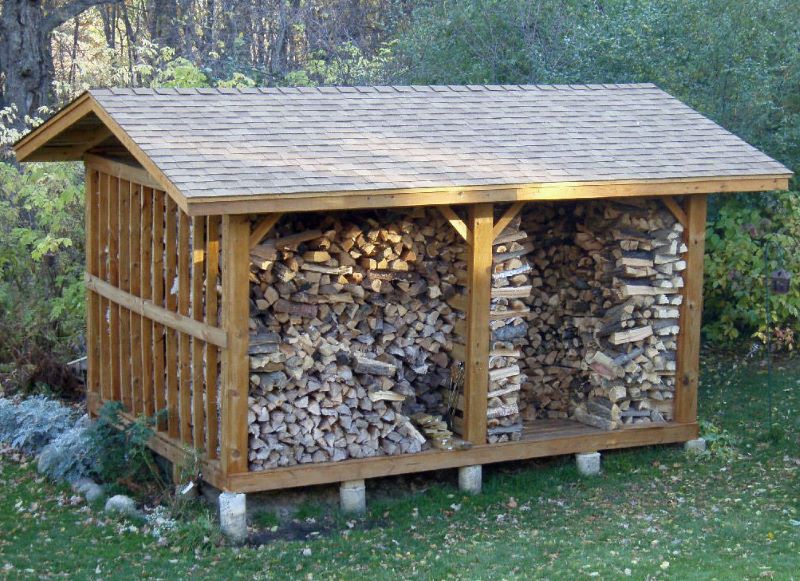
(654,513)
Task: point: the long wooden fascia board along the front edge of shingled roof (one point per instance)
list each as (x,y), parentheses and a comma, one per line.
(349,200)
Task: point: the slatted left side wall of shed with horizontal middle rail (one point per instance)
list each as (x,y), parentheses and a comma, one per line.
(153,334)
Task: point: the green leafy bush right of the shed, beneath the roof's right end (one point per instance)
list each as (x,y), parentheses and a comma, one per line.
(735,285)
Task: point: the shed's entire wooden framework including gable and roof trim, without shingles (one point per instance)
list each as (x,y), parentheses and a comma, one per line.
(156,258)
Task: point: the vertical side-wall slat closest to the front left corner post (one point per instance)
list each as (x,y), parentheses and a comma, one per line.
(212,274)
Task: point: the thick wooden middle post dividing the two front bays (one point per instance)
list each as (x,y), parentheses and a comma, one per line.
(476,367)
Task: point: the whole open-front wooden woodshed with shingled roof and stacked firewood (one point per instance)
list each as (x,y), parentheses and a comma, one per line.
(320,284)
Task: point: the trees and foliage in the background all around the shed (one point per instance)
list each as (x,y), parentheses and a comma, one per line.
(736,62)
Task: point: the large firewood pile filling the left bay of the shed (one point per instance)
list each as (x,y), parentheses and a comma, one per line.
(350,335)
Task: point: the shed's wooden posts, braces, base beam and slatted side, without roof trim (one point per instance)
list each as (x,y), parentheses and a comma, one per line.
(169,293)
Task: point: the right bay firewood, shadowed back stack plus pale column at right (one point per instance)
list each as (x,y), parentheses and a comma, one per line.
(605,303)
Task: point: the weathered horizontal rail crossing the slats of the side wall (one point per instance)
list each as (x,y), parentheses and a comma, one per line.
(145,308)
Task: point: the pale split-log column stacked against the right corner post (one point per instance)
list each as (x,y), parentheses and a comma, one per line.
(631,362)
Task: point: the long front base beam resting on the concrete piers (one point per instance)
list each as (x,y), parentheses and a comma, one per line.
(377,466)
